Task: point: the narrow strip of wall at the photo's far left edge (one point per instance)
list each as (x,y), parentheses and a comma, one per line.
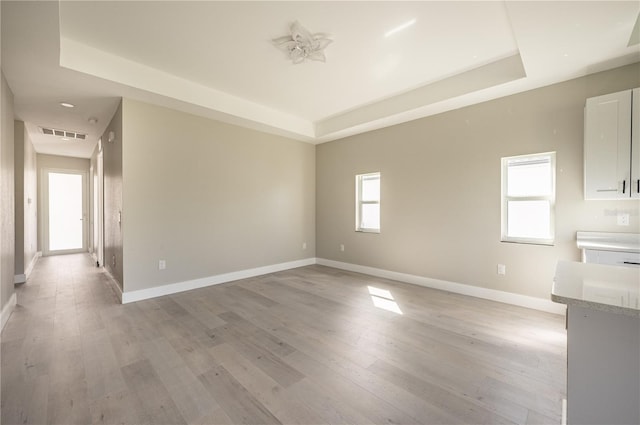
(7,198)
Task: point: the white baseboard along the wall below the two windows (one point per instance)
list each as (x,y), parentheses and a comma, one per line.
(458,288)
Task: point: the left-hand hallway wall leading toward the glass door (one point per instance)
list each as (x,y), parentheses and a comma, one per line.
(25,183)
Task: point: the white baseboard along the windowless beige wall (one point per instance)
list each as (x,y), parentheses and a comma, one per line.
(173,288)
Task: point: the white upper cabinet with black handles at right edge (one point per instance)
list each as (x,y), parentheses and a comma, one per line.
(612,146)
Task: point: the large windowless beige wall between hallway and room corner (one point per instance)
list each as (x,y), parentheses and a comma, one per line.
(210,198)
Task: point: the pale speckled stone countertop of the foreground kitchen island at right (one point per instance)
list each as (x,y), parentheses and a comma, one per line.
(601,287)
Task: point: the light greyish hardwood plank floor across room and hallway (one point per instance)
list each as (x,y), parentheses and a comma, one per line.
(304,346)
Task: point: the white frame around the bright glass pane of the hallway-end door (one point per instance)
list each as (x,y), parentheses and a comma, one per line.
(45,210)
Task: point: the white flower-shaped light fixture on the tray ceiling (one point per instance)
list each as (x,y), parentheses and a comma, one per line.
(301,44)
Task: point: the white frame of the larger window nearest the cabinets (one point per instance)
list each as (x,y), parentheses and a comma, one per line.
(551,198)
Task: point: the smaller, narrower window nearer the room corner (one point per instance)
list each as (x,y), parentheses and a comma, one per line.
(368,202)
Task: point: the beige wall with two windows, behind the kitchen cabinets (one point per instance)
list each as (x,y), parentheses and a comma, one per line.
(441,188)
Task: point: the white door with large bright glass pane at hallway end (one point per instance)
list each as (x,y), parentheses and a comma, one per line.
(65,212)
